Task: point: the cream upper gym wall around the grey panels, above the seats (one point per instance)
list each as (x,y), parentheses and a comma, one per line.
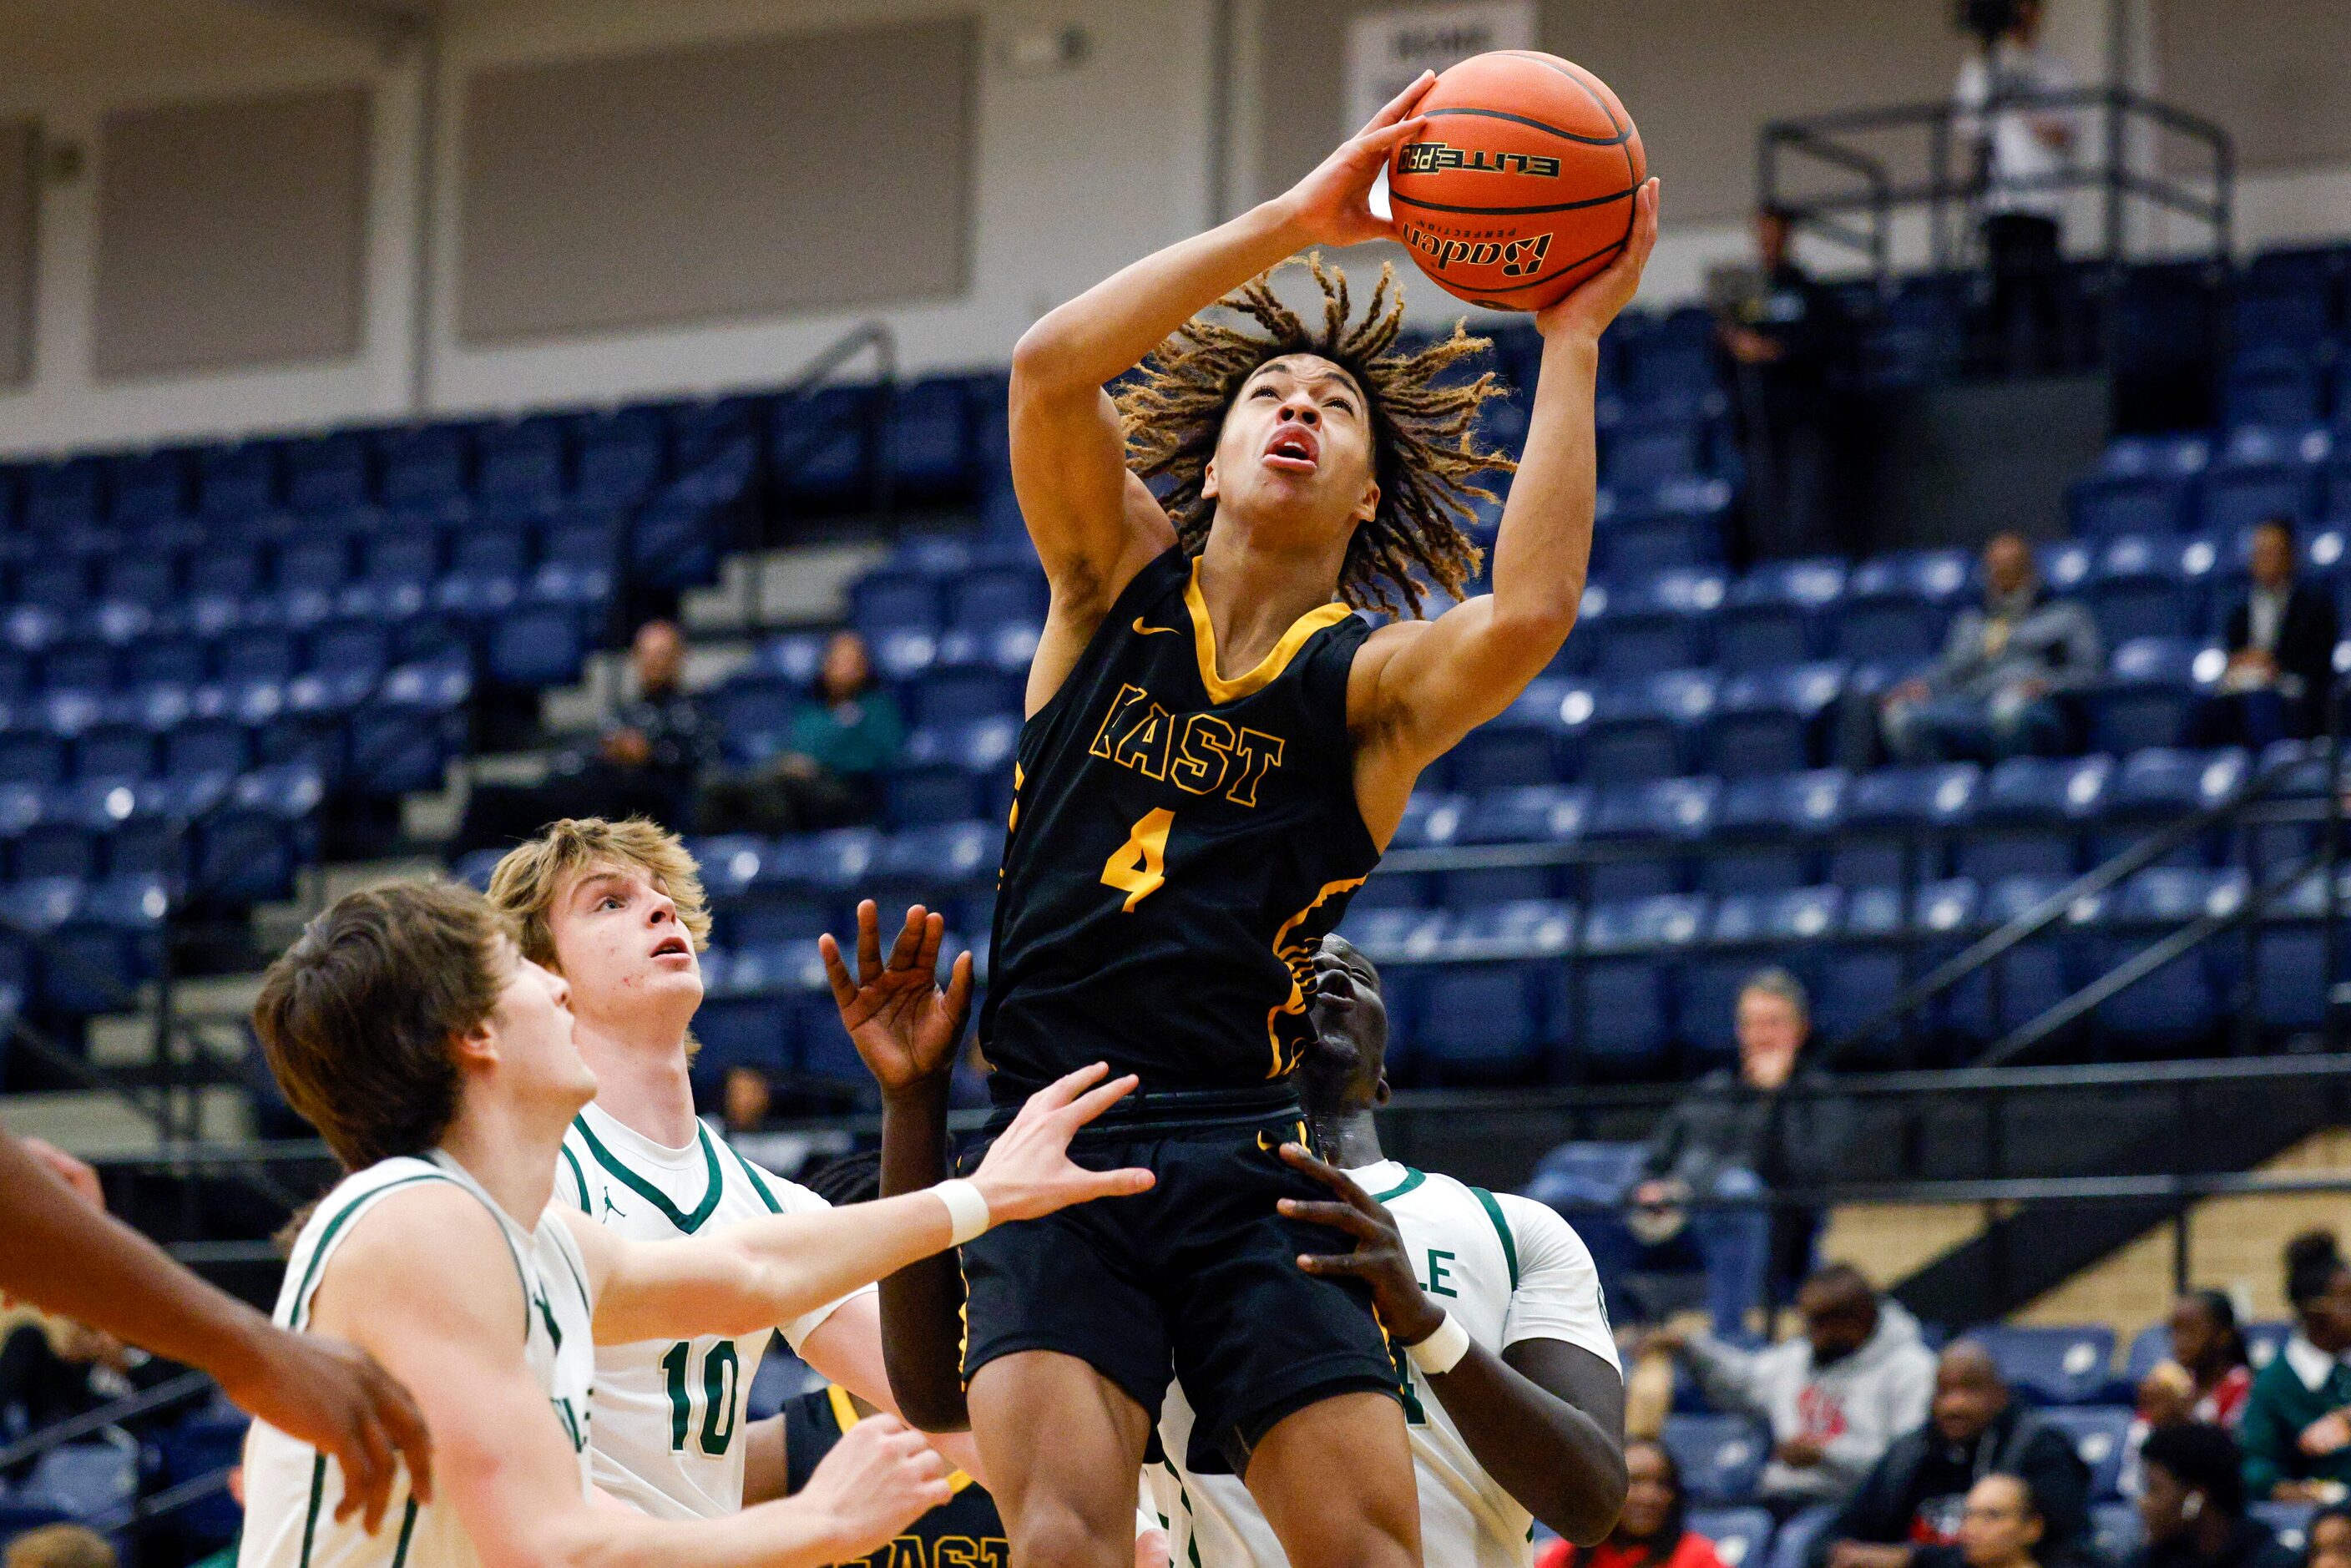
(1078,173)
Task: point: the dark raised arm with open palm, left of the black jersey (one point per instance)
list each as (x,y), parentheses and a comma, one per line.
(906,1028)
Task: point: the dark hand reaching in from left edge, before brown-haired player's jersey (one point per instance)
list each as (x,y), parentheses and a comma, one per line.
(342,1402)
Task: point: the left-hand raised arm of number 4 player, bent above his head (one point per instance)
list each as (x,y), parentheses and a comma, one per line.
(1094,523)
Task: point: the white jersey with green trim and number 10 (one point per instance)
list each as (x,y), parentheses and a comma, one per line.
(669,1414)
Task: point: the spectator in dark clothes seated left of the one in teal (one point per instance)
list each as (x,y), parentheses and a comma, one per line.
(645,763)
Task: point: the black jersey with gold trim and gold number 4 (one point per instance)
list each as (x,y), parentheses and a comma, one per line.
(1179,847)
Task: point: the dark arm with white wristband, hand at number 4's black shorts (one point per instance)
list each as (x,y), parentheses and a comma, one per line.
(1546,1419)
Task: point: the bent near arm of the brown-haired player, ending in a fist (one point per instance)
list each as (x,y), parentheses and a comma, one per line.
(455,1334)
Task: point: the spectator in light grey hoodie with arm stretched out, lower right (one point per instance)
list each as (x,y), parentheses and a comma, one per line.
(1837,1395)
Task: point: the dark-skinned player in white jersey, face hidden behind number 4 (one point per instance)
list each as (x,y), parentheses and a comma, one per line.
(1513,1393)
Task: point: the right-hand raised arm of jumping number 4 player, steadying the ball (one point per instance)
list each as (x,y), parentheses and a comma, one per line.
(1424,685)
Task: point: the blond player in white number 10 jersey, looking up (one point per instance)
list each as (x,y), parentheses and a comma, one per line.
(617,909)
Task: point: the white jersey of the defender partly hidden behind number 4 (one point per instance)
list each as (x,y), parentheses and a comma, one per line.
(1503,1268)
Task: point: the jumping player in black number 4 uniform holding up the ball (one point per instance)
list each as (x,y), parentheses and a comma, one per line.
(1214,758)
